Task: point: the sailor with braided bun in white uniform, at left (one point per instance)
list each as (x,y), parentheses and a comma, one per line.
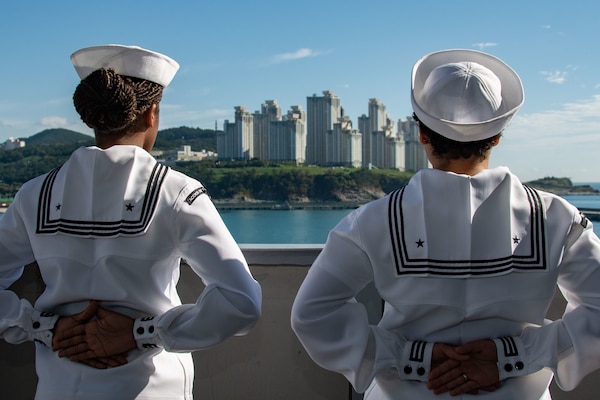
(108,230)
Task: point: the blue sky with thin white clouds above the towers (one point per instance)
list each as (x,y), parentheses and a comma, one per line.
(246,52)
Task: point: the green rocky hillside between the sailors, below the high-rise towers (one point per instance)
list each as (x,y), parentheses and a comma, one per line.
(263,181)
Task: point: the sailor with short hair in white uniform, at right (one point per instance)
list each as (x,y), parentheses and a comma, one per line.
(466,259)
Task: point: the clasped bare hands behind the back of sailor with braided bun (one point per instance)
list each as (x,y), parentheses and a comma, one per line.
(97,337)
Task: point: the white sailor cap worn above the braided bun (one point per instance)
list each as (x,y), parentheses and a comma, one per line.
(131,61)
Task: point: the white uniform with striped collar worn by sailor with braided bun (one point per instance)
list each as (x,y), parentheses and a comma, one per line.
(113,225)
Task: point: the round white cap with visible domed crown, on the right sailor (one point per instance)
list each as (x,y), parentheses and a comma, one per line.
(465,95)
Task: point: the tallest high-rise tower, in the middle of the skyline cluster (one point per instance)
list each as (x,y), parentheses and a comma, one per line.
(322,112)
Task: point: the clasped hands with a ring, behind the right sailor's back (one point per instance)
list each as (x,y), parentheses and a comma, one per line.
(464,369)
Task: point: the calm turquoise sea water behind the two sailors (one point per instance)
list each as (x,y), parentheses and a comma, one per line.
(312,226)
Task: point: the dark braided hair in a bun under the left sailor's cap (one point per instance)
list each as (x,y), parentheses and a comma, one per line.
(111,104)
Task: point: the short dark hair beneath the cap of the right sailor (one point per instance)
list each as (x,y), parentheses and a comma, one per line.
(453,150)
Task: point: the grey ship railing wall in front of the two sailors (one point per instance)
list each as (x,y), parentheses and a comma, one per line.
(269,362)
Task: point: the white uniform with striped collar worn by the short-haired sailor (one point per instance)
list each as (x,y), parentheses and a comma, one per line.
(456,258)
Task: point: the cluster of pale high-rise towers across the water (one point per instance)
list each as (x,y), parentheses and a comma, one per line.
(322,135)
